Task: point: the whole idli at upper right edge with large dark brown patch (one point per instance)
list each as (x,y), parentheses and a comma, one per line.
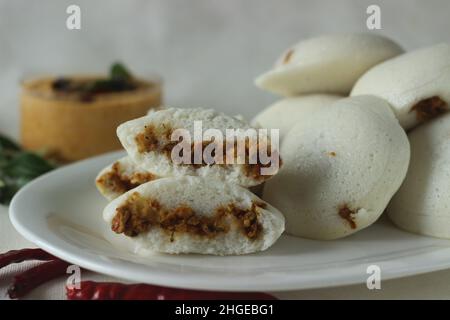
(416,84)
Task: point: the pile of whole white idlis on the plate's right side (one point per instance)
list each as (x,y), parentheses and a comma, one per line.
(348,101)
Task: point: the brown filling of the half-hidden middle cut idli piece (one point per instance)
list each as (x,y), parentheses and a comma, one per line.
(117,182)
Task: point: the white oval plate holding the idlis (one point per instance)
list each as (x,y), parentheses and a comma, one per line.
(61,213)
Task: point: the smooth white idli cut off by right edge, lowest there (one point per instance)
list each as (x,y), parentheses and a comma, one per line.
(422,204)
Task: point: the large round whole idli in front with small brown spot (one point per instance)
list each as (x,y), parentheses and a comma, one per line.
(341,168)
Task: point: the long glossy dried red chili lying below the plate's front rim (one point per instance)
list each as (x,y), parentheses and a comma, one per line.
(90,290)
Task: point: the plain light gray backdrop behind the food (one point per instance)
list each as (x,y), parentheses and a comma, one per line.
(208,51)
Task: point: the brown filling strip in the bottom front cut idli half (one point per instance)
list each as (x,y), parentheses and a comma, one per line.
(138,215)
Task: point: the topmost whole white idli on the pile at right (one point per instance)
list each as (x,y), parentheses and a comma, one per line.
(326,64)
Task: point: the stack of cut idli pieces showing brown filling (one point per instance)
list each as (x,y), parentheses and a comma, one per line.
(162,205)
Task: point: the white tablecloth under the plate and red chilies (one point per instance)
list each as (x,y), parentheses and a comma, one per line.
(434,285)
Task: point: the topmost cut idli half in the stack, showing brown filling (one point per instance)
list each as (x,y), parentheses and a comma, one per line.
(150,143)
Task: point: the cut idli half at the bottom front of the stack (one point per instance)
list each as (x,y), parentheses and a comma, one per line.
(194,215)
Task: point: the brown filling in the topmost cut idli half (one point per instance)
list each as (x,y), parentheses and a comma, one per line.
(149,140)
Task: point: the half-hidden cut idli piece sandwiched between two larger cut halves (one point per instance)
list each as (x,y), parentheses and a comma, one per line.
(120,177)
